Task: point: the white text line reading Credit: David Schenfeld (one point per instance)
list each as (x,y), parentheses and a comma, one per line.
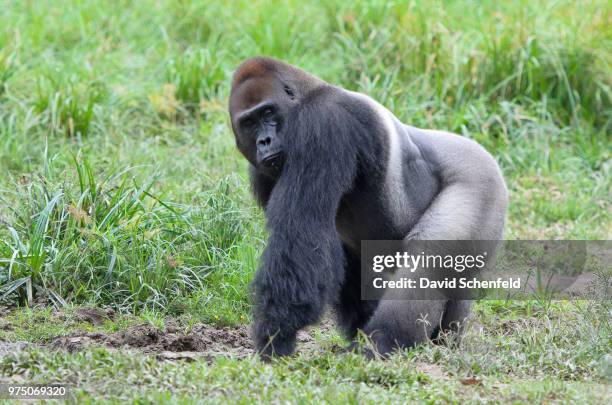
(446,283)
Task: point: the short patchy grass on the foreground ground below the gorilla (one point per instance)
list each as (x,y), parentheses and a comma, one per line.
(520,352)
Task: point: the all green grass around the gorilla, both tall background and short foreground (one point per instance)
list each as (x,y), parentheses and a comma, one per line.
(120,184)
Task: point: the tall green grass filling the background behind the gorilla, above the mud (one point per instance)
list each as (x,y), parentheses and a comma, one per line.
(132,86)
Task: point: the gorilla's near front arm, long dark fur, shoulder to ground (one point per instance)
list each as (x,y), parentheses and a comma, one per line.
(302,266)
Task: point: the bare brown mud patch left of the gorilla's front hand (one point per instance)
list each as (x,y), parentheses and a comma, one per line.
(200,340)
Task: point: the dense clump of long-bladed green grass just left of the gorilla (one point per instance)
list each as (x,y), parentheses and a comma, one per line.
(110,240)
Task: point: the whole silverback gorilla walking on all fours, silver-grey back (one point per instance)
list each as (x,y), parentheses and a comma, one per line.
(331,168)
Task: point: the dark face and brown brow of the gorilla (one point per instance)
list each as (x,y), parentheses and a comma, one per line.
(259,107)
